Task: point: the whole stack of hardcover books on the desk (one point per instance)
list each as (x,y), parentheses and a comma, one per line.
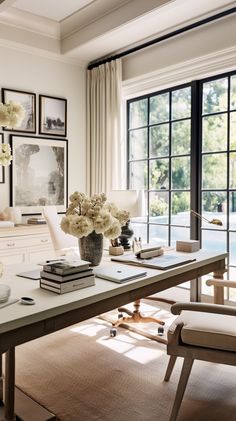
(62,277)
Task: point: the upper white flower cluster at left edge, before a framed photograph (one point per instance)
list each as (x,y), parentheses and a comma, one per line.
(11,114)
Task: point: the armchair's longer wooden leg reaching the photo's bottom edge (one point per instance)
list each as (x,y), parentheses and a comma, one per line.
(186,369)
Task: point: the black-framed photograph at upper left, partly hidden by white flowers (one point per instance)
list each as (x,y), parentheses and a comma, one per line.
(28,102)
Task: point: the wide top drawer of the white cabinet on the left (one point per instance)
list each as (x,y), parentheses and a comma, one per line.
(24,242)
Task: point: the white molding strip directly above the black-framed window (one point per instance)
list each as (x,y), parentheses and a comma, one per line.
(208,65)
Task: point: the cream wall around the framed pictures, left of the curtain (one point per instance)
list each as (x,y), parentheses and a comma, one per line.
(41,75)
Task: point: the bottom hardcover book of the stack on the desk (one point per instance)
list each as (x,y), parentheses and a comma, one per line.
(63,287)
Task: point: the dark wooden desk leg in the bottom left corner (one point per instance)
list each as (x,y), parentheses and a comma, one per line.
(9,384)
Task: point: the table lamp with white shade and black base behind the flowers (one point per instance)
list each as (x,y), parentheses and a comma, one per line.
(133,202)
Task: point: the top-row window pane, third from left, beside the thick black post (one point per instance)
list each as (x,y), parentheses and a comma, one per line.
(181,103)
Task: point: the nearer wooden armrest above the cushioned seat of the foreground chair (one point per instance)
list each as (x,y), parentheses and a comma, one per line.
(203,307)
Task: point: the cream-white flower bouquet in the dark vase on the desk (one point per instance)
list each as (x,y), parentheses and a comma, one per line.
(85,215)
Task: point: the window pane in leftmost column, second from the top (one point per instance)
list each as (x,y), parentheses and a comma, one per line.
(138,144)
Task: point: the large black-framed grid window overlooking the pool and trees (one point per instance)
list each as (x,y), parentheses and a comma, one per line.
(181,149)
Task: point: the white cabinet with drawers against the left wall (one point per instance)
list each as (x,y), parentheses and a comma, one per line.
(25,243)
